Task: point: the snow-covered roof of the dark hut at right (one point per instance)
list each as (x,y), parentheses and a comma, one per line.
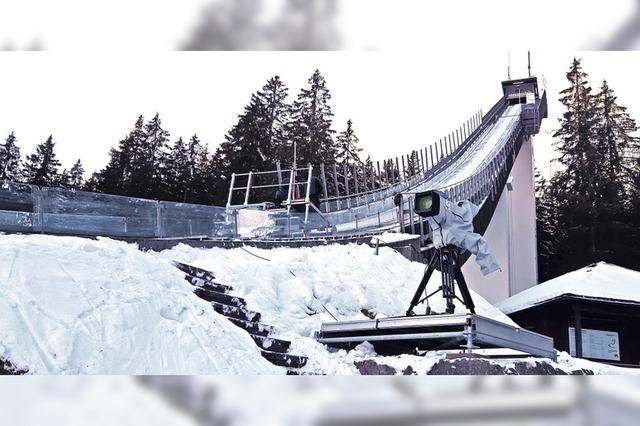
(598,281)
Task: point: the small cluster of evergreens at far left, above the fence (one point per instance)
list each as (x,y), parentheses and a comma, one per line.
(41,168)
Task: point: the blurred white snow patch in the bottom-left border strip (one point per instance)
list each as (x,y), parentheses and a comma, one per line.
(81,401)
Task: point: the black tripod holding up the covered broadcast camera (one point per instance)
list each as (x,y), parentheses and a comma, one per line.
(446,260)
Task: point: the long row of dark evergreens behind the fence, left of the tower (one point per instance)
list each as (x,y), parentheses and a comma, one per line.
(147,164)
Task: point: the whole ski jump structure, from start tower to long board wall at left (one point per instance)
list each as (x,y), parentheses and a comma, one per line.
(488,160)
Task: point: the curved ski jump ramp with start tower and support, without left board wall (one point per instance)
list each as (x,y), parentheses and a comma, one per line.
(489,161)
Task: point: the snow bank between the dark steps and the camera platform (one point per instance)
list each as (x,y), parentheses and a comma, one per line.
(297,289)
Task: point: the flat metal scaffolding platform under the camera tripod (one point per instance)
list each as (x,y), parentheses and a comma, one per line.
(402,335)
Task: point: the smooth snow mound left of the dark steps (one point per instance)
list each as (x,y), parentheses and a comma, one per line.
(78,306)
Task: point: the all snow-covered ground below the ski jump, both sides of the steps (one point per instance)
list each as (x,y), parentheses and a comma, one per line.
(79,306)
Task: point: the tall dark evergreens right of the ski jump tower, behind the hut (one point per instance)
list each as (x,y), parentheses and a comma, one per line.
(589,211)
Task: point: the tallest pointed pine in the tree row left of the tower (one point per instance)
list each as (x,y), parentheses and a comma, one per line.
(311,124)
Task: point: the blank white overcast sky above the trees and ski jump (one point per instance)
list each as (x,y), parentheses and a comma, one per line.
(398,101)
